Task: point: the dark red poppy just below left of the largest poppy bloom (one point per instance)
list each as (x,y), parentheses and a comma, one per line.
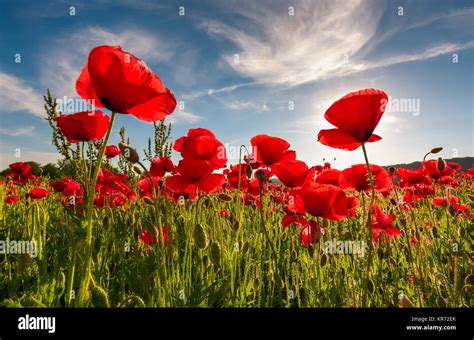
(84,126)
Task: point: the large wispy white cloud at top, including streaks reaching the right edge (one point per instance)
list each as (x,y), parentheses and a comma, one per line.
(273,47)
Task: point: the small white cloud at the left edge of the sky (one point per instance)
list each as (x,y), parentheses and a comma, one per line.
(16,95)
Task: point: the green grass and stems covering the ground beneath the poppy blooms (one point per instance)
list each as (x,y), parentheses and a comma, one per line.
(207,263)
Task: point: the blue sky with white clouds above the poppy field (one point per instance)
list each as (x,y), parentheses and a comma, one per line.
(290,69)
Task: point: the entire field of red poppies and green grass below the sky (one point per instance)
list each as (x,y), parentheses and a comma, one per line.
(269,231)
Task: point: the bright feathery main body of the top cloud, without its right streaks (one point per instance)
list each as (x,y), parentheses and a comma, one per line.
(277,48)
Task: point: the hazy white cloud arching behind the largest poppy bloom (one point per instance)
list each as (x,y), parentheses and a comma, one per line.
(63,62)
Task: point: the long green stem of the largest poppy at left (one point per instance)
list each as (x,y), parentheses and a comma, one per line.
(84,286)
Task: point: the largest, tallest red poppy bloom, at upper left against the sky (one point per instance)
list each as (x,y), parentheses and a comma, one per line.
(120,82)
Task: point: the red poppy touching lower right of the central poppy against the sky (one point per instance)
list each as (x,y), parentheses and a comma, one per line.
(293,173)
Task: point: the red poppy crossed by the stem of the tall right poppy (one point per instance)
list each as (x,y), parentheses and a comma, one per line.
(356,177)
